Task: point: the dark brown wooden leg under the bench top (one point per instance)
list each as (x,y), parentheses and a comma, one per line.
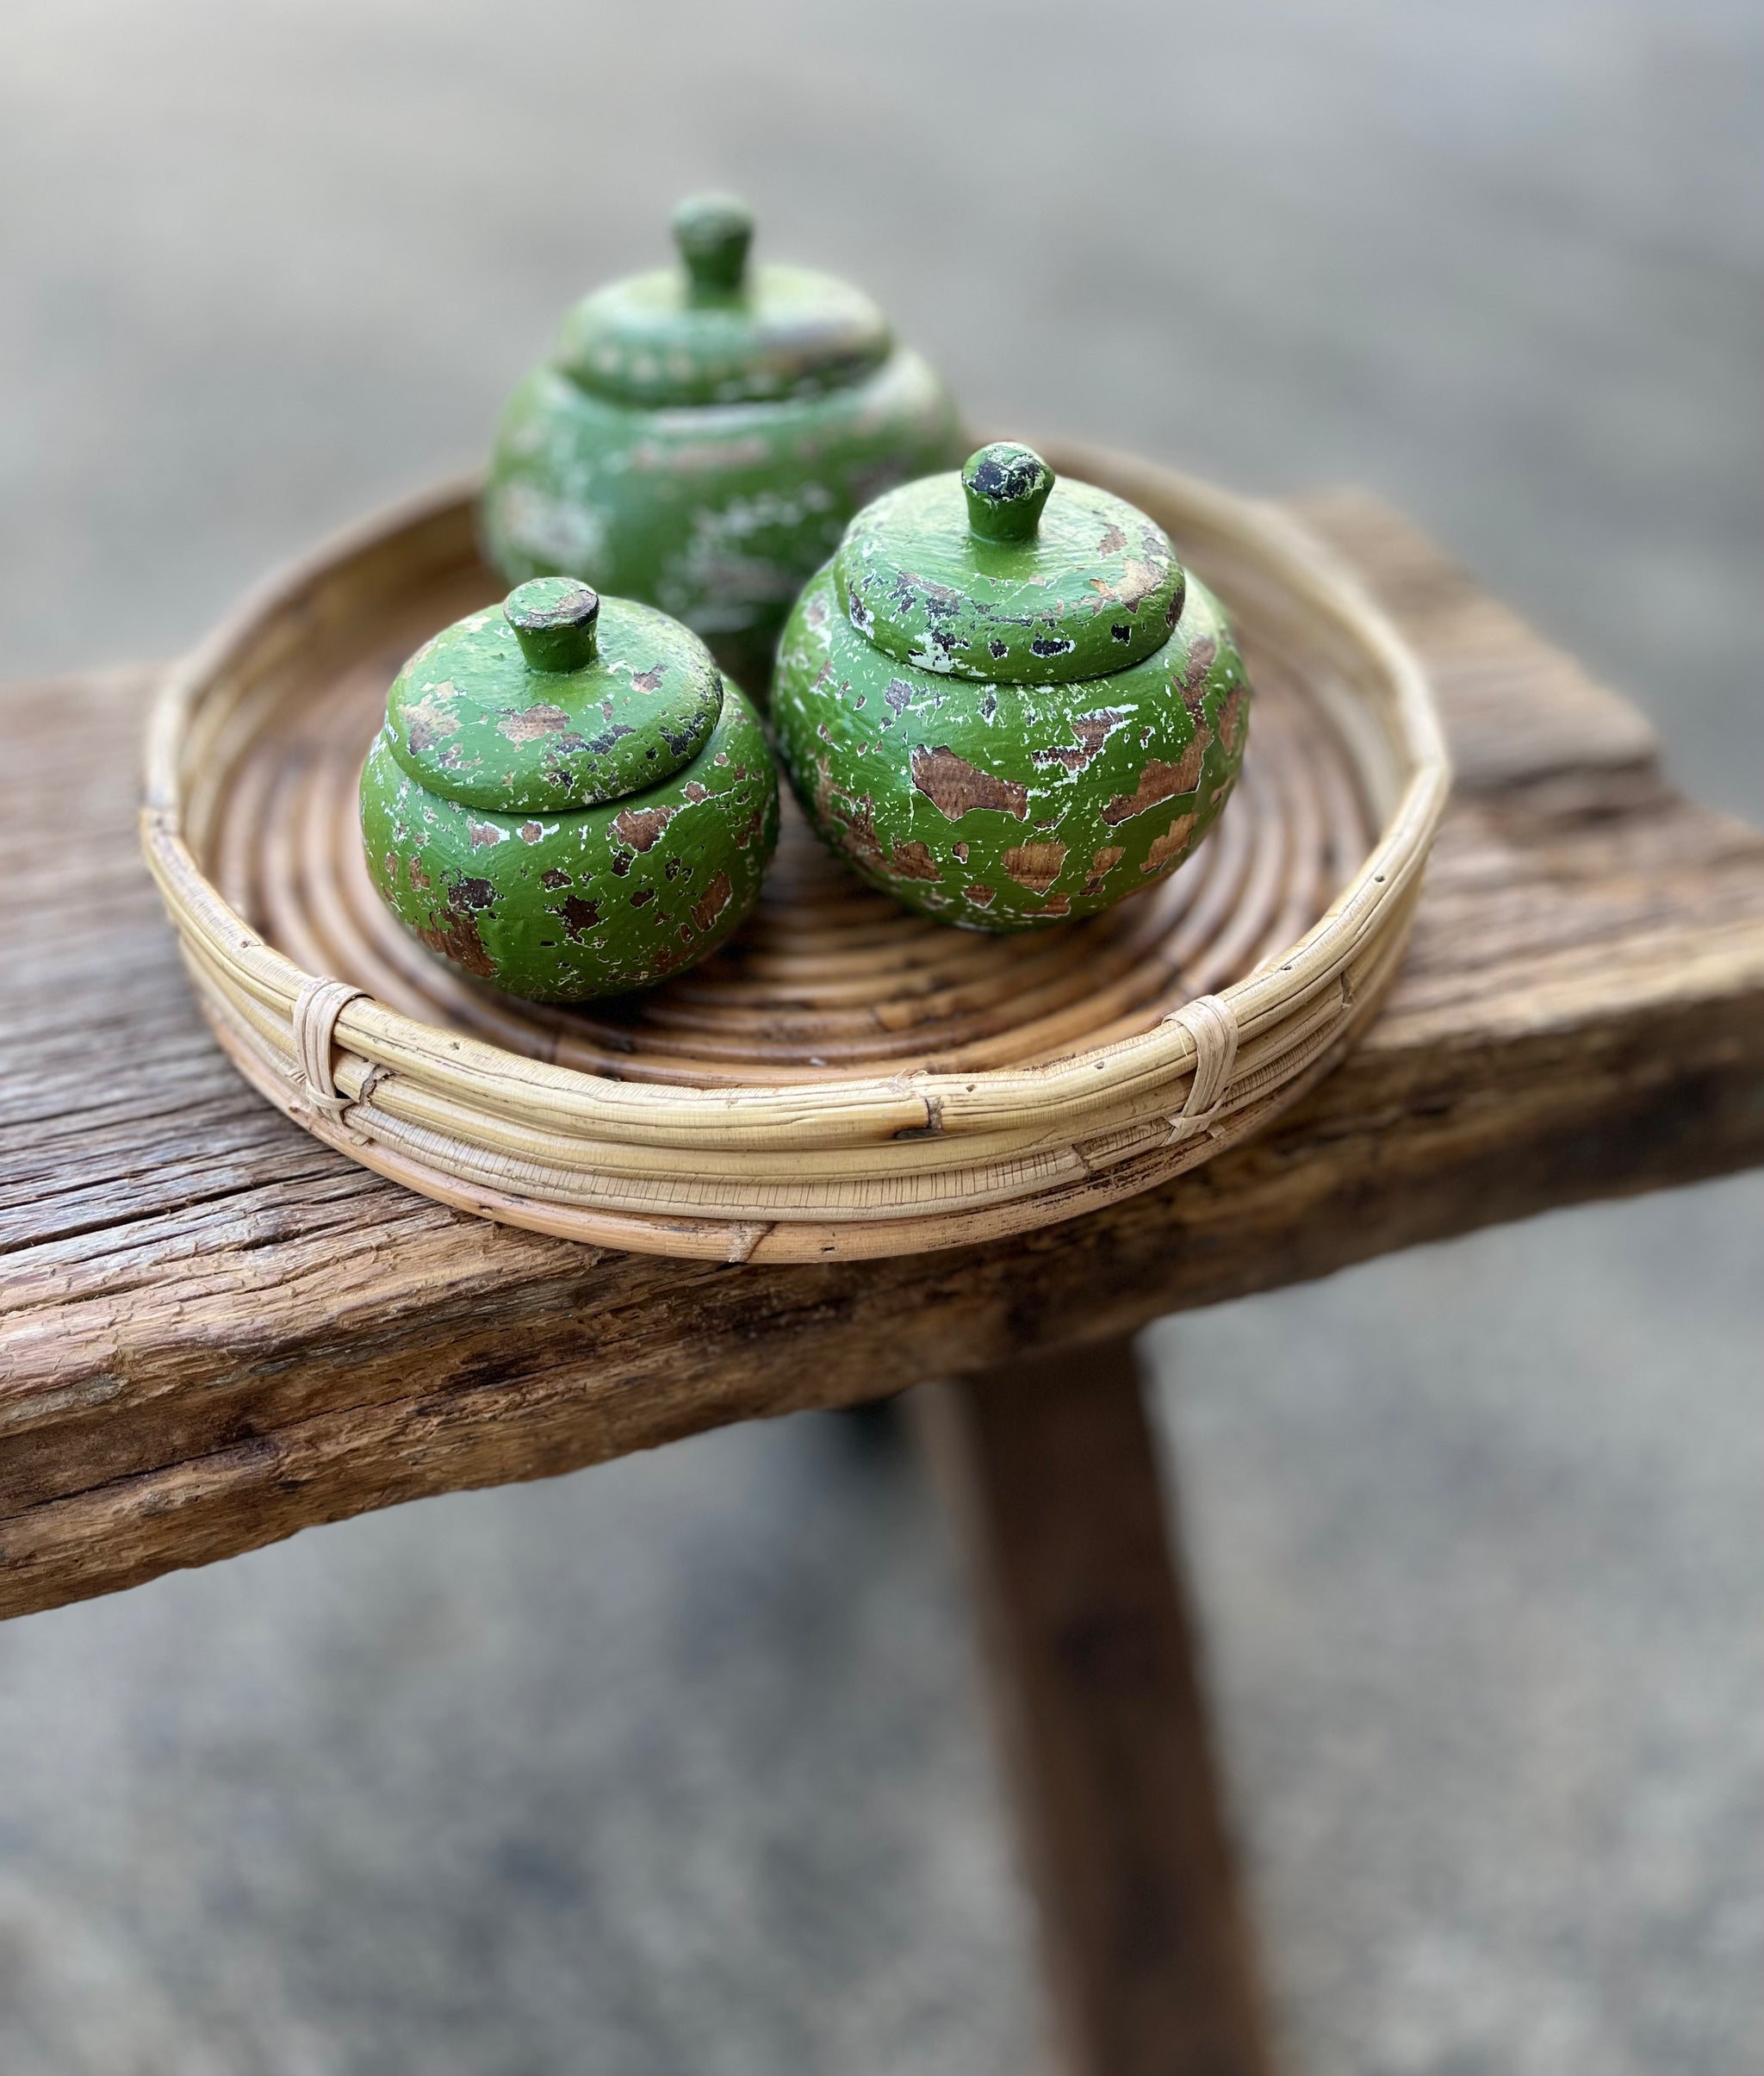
(1053,1475)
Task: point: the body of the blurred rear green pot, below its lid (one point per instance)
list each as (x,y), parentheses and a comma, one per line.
(717,514)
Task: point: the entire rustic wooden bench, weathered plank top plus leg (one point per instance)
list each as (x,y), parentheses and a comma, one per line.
(217,1332)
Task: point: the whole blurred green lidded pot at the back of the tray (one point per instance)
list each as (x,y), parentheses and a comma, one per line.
(700,437)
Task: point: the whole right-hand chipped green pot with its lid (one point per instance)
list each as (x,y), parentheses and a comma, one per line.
(1005,701)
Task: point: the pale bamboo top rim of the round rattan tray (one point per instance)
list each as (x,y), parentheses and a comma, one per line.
(1066,1097)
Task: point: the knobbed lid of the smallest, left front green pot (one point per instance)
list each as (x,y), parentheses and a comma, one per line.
(553,701)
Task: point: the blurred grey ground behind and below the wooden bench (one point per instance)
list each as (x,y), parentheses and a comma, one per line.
(680,1766)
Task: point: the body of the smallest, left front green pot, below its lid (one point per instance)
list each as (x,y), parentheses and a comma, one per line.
(566,906)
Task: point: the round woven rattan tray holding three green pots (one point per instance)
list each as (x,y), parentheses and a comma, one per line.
(844,1078)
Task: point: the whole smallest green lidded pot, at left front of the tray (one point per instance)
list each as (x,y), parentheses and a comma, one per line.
(568,796)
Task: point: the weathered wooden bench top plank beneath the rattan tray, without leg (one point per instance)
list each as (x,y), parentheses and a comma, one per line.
(213,1332)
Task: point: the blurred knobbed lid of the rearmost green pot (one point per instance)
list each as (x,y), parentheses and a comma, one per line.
(717,329)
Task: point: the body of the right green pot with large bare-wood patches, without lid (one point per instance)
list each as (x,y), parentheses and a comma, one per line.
(1010,807)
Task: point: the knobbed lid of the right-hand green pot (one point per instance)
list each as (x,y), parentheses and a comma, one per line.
(1003,574)
